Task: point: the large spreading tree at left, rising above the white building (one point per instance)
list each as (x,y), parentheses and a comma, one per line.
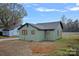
(11,15)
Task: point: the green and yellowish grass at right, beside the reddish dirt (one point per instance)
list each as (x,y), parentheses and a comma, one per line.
(68,45)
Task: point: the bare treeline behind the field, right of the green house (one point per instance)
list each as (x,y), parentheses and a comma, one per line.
(69,25)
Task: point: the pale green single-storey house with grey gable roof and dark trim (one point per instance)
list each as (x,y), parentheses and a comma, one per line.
(40,31)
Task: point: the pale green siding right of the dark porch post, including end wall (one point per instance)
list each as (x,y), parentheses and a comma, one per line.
(53,35)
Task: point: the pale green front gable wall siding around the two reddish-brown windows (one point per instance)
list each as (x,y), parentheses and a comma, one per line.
(38,36)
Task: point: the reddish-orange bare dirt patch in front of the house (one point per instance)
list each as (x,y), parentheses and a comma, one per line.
(42,47)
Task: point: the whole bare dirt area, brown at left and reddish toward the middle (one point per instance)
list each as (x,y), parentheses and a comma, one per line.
(24,48)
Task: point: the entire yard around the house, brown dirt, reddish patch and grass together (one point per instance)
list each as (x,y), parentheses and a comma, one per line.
(68,45)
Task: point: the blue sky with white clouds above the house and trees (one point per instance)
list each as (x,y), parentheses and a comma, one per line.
(50,12)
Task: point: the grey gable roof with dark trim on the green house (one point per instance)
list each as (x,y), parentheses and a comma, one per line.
(44,26)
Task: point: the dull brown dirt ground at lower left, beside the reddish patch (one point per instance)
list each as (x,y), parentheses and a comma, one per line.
(14,48)
